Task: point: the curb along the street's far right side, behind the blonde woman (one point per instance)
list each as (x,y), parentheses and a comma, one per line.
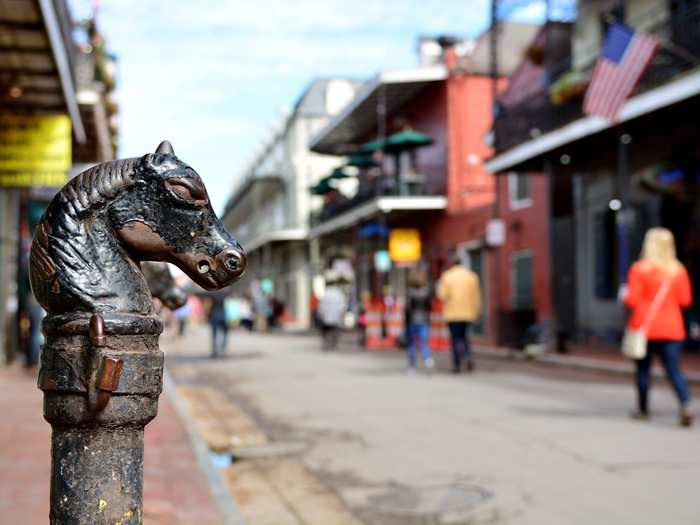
(624,368)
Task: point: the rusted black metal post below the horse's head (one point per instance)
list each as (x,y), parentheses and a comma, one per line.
(98,397)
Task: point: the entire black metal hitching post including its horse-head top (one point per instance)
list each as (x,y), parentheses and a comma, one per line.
(101,368)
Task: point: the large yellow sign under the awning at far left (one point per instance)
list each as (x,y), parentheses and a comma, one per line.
(34,150)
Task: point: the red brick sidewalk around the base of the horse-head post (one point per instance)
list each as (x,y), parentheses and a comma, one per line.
(176,491)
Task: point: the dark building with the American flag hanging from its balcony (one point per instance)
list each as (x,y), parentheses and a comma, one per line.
(610,182)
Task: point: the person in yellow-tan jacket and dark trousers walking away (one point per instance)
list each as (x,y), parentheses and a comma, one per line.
(460,292)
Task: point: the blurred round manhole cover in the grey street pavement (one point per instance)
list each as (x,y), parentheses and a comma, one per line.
(430,500)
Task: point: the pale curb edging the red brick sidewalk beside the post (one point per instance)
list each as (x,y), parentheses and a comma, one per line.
(223,498)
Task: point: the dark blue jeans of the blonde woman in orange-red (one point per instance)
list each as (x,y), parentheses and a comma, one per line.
(670,352)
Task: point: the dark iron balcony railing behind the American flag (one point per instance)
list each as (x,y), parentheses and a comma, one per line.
(678,31)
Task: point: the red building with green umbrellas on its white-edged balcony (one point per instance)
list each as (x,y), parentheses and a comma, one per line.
(450,101)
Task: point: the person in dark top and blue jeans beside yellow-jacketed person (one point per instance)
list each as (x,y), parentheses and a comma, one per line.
(419,300)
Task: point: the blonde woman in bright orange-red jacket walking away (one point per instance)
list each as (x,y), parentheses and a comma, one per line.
(660,272)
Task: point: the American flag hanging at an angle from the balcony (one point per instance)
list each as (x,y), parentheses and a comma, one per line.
(624,58)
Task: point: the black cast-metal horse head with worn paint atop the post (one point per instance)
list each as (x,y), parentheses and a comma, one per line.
(97,230)
